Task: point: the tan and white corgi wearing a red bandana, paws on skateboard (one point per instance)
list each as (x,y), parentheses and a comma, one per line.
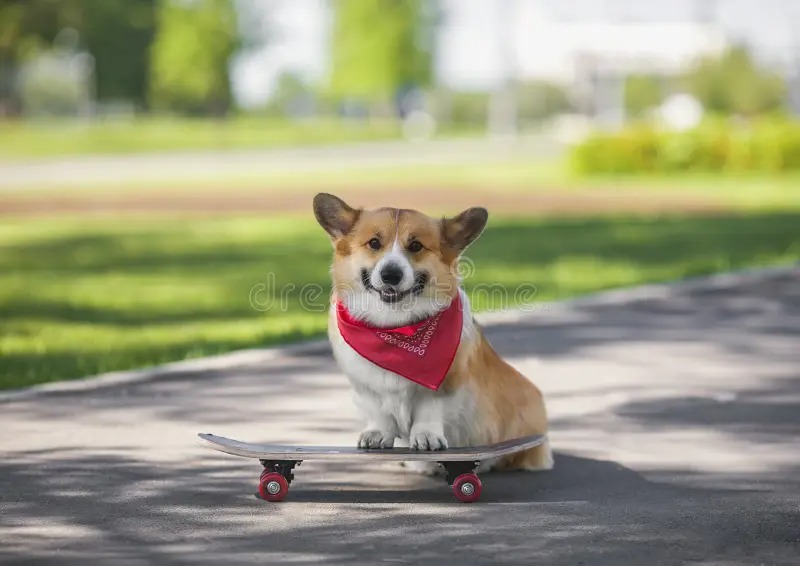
(401,329)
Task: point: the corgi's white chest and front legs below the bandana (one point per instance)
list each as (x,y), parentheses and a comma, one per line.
(394,406)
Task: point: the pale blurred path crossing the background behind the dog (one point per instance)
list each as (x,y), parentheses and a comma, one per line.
(159,168)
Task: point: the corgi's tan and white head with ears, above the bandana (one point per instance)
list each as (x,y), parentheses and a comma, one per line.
(393,266)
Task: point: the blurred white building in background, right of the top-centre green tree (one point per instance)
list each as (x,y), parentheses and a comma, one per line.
(546,46)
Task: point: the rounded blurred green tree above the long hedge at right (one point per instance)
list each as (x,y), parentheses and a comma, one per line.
(734,84)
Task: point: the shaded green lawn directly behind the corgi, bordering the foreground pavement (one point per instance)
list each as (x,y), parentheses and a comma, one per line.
(80,296)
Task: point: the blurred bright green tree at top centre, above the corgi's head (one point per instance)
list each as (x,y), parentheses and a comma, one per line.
(381,47)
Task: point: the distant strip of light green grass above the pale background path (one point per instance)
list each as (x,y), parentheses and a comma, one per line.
(63,137)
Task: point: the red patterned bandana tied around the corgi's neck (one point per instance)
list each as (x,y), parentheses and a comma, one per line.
(422,352)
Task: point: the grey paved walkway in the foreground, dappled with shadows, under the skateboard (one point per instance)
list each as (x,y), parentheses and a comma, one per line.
(676,423)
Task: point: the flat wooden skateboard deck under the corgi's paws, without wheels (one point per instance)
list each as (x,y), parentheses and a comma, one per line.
(296,453)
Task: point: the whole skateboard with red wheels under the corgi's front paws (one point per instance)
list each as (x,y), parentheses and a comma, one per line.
(279,461)
